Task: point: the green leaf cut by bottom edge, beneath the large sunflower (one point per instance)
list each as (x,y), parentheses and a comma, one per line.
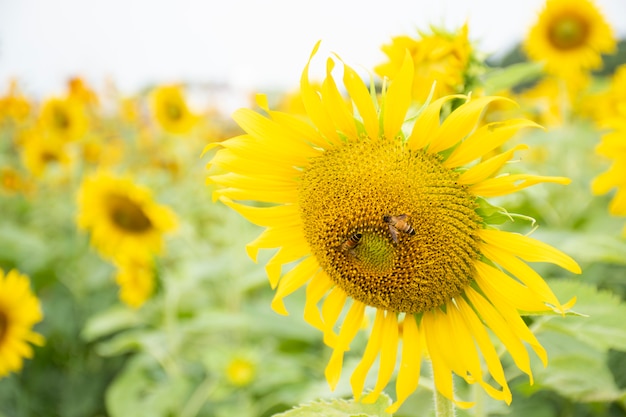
(340,408)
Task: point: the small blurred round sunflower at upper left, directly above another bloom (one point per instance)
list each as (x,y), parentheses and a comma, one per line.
(63,119)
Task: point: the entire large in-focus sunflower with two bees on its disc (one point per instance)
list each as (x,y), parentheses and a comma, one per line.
(379,214)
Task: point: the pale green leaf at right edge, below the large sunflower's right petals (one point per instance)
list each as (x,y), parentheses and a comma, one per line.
(604,328)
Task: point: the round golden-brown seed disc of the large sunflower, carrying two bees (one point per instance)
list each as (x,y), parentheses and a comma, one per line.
(390,226)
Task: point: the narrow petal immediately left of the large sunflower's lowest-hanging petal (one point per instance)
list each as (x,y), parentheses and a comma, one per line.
(388,353)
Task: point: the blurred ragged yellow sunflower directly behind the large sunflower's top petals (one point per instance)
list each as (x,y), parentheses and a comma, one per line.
(441,56)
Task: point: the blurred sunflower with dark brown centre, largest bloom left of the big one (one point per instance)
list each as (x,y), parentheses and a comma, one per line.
(122,217)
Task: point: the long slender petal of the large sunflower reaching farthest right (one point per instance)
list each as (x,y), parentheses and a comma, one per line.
(529,249)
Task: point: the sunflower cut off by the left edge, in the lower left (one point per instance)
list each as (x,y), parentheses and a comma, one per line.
(19,312)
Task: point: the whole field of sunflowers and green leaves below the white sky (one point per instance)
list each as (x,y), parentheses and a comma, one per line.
(443,234)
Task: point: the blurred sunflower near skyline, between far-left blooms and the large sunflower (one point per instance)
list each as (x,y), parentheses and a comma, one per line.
(171,111)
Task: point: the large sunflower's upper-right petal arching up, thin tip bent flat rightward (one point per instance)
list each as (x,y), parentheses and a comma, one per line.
(460,123)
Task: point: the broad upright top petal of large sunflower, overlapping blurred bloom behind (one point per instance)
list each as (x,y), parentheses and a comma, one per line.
(398,98)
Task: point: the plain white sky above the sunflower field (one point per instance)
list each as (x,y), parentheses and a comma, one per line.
(252,44)
